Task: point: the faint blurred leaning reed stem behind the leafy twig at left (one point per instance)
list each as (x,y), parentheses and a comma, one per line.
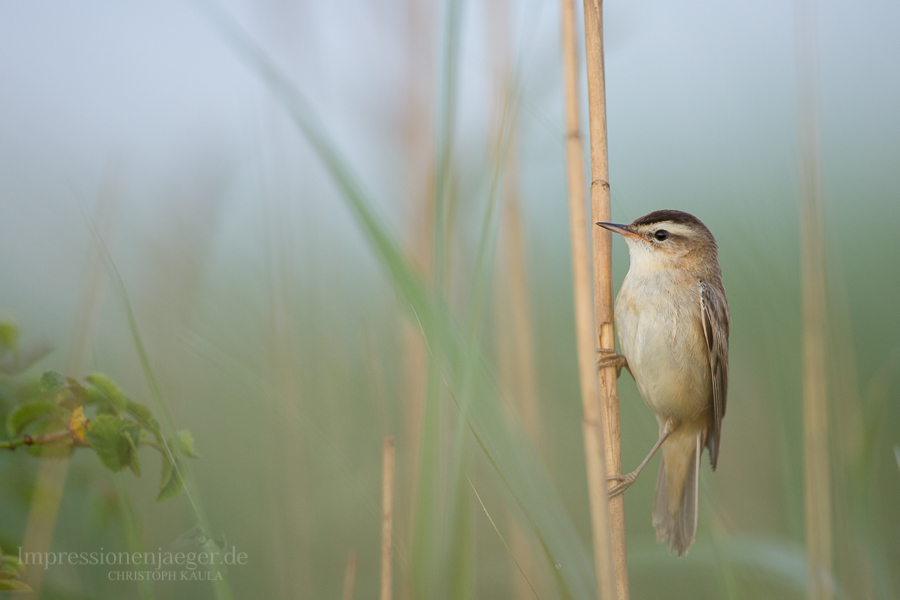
(51,476)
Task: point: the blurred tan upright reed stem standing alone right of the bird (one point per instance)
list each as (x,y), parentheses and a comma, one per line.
(817,477)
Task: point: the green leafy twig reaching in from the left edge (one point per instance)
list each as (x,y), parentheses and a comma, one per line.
(52,416)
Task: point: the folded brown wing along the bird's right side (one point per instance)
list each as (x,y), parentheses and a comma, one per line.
(716,323)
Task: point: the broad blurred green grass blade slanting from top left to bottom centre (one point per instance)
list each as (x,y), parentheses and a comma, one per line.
(514,460)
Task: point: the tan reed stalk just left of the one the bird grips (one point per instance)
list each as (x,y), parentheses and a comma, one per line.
(584,319)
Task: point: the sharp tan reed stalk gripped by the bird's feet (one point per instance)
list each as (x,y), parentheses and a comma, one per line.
(602,252)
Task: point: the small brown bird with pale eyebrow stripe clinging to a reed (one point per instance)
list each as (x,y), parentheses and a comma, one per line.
(672,320)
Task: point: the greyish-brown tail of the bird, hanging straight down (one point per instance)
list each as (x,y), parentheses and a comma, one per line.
(675,505)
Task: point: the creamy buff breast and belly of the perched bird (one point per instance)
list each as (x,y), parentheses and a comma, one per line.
(660,333)
